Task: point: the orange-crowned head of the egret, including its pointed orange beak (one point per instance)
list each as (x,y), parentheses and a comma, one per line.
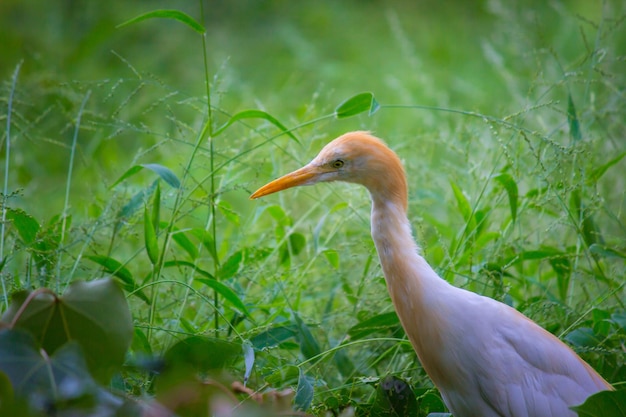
(356,157)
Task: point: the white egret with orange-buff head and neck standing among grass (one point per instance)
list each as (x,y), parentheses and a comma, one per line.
(486,358)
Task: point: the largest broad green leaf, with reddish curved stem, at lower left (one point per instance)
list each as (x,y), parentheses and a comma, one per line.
(95,314)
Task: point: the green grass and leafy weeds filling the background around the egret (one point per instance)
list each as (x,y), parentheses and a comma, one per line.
(509,117)
